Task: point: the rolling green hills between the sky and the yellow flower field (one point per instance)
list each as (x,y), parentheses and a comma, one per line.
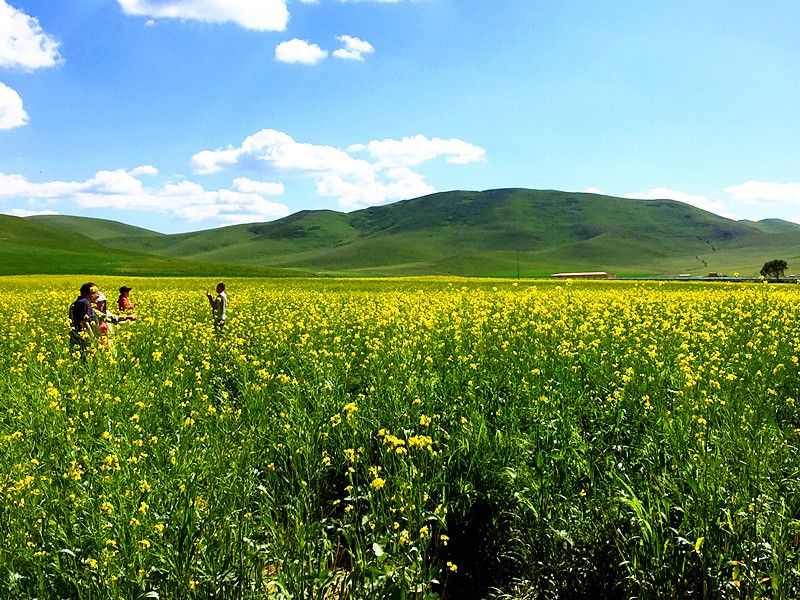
(498,232)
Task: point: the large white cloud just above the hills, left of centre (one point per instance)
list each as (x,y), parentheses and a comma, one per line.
(356,182)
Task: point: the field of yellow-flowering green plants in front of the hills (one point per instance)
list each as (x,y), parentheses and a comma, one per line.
(403,439)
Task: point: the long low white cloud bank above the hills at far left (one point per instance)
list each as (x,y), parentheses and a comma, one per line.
(122,190)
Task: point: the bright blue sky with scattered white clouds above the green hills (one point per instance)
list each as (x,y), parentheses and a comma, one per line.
(180,115)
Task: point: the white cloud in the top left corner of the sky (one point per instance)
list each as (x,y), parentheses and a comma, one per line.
(23,43)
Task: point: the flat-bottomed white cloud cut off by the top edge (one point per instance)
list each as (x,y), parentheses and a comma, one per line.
(260,15)
